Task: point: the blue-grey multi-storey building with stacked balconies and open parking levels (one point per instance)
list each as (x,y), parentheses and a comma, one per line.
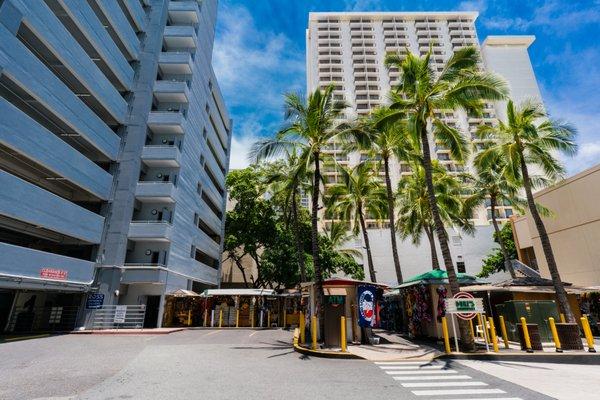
(115,146)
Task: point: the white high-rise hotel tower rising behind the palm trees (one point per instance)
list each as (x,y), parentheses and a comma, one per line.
(347,50)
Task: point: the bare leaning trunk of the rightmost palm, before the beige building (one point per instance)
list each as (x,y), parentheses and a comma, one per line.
(561,293)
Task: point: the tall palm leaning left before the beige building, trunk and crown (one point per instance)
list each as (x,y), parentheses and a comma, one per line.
(529,137)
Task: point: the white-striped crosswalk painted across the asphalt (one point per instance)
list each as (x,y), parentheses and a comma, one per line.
(437,380)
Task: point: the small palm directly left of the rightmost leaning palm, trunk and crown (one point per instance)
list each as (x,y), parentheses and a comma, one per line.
(492,184)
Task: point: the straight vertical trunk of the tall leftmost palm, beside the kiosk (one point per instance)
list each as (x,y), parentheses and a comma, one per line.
(315,244)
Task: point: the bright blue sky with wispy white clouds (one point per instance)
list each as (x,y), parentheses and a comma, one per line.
(260,55)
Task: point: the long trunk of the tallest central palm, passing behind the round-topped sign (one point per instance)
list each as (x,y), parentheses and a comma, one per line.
(466,339)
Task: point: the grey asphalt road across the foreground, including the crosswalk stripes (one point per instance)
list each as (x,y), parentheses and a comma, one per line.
(224,364)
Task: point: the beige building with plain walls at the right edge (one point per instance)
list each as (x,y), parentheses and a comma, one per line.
(573,229)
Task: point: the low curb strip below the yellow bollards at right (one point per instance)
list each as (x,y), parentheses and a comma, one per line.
(575,358)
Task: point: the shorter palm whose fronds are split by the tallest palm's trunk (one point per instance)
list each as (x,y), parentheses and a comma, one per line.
(415,214)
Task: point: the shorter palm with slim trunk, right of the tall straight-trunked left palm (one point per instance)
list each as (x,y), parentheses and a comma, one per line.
(359,194)
